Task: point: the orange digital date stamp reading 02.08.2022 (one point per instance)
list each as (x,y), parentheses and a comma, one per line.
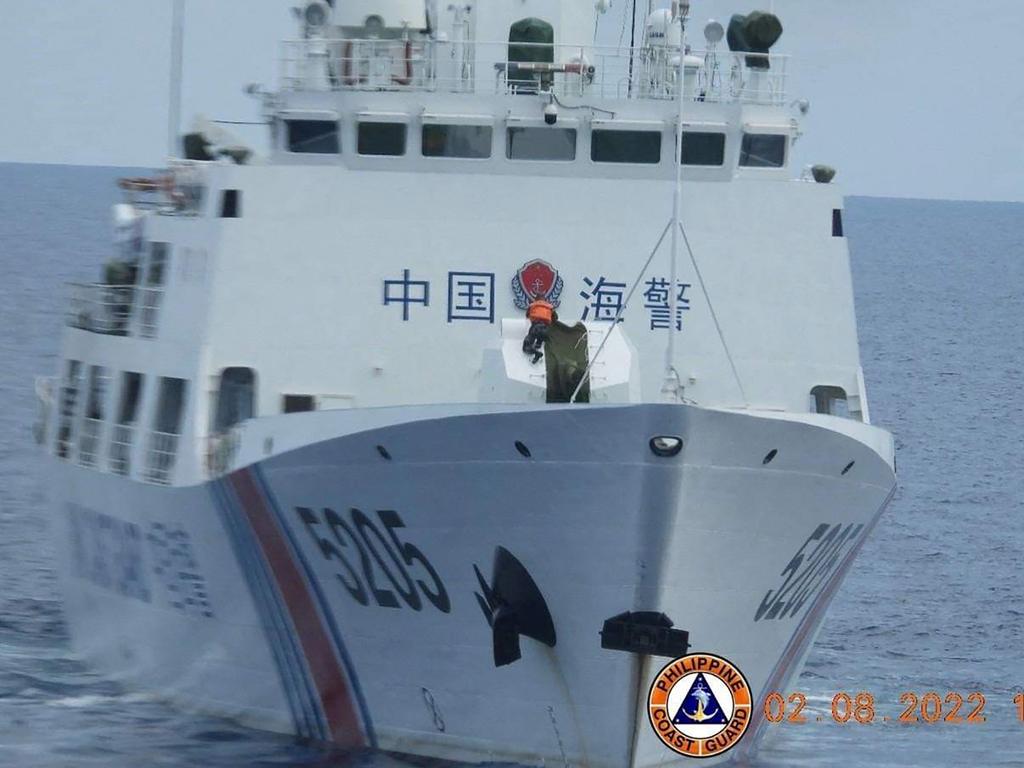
(928,708)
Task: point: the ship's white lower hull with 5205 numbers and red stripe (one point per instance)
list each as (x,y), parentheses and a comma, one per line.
(246,598)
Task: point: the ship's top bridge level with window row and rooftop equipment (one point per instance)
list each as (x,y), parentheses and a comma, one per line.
(517,92)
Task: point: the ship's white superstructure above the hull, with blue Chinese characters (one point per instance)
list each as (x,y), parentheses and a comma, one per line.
(223,303)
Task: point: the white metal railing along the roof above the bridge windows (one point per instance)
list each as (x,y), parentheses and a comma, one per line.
(567,71)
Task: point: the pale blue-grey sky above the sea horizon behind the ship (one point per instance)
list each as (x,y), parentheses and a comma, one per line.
(909,98)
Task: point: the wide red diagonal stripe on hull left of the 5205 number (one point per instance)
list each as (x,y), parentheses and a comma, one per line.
(335,693)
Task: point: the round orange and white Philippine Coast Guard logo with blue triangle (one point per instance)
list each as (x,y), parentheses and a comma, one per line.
(700,706)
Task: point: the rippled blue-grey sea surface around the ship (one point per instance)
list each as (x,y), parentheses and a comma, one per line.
(934,604)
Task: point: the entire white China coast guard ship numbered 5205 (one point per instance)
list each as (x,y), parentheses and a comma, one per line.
(304,470)
